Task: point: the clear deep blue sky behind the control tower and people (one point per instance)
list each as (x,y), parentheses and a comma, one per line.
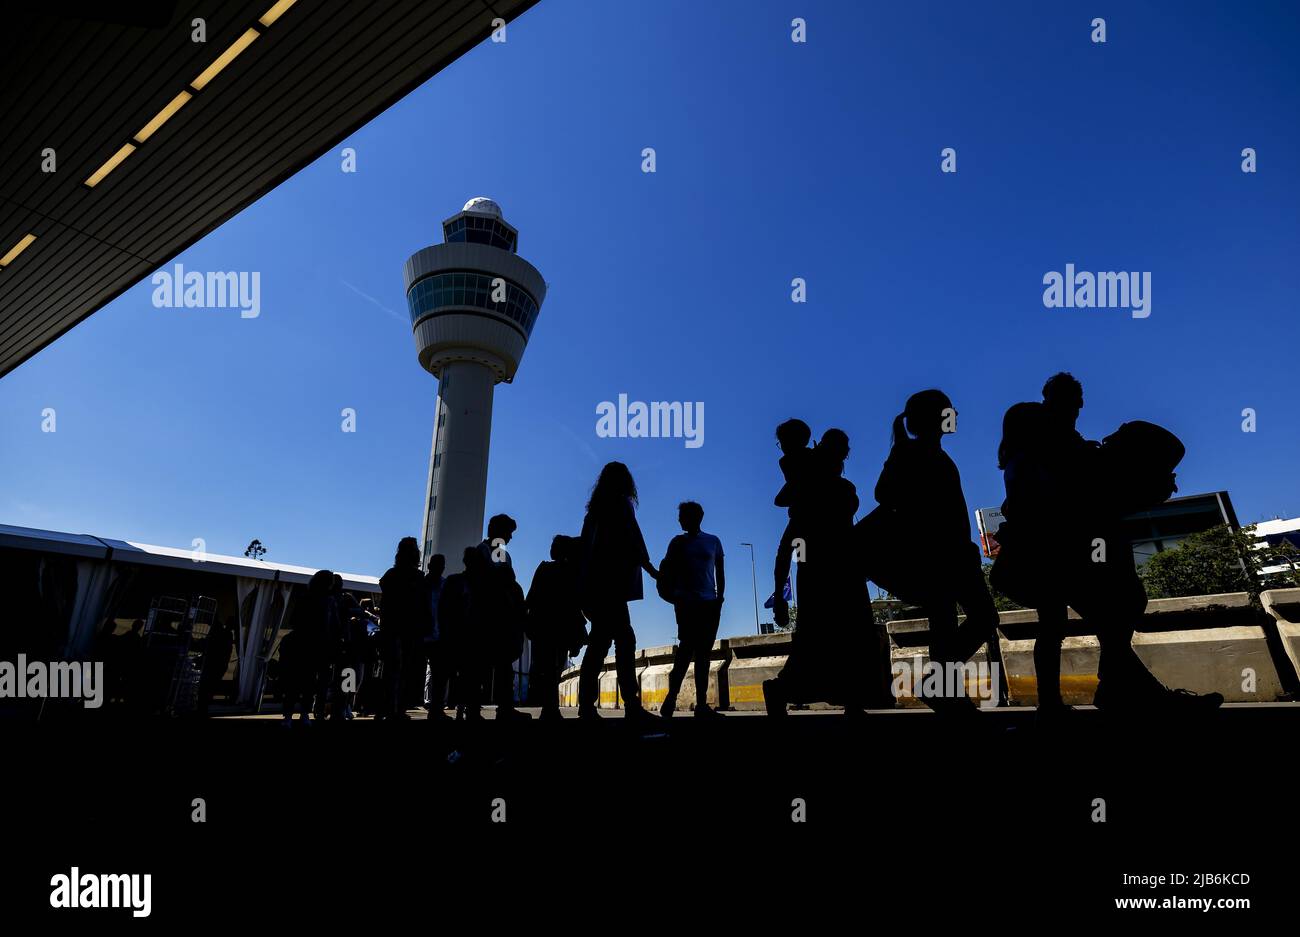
(775,160)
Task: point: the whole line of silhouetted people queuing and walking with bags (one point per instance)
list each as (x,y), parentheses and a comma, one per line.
(456,640)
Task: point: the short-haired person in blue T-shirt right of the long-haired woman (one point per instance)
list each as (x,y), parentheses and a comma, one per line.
(695,567)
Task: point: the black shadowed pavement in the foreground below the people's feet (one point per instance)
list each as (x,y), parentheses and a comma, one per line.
(991,825)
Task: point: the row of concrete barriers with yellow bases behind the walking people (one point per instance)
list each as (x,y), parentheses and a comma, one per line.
(1202,644)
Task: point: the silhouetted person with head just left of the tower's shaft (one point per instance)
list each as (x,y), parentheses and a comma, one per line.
(402,624)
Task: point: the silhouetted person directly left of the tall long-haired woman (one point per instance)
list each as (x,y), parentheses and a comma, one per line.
(556,622)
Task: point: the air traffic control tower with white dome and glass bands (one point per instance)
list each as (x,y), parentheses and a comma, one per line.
(474,302)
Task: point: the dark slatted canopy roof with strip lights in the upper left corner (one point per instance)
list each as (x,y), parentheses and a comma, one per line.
(90,81)
